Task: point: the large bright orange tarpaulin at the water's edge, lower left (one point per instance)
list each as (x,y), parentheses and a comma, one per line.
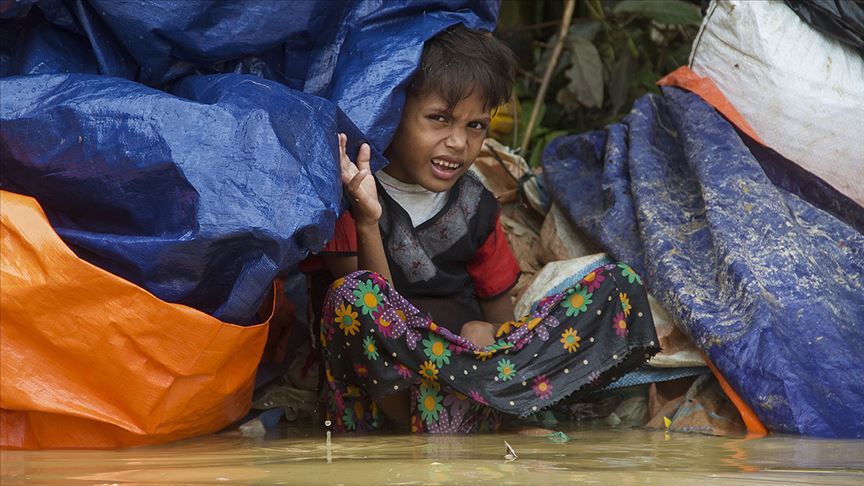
(88,359)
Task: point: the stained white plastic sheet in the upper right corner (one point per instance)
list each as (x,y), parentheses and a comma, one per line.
(801,91)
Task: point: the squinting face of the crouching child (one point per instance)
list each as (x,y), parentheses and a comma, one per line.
(433,147)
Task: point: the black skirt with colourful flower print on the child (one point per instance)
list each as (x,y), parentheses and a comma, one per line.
(375,343)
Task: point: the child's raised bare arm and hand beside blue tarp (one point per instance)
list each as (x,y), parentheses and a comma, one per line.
(366,210)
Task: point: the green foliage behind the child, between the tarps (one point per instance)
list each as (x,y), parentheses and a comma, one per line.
(615,51)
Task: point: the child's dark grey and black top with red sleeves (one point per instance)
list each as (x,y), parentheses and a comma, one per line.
(460,255)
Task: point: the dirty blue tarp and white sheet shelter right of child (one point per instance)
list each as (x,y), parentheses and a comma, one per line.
(758,259)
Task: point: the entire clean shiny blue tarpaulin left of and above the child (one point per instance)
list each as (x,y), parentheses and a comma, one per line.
(189,146)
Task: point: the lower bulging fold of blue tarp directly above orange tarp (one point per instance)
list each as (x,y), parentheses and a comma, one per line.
(202,196)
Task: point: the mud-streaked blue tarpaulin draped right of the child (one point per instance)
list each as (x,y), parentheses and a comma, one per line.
(770,286)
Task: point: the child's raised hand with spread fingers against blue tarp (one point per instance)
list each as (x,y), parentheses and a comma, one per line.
(359,183)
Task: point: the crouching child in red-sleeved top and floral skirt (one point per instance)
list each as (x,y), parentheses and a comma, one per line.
(413,333)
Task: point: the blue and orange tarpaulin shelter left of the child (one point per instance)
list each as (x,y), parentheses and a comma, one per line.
(188,147)
